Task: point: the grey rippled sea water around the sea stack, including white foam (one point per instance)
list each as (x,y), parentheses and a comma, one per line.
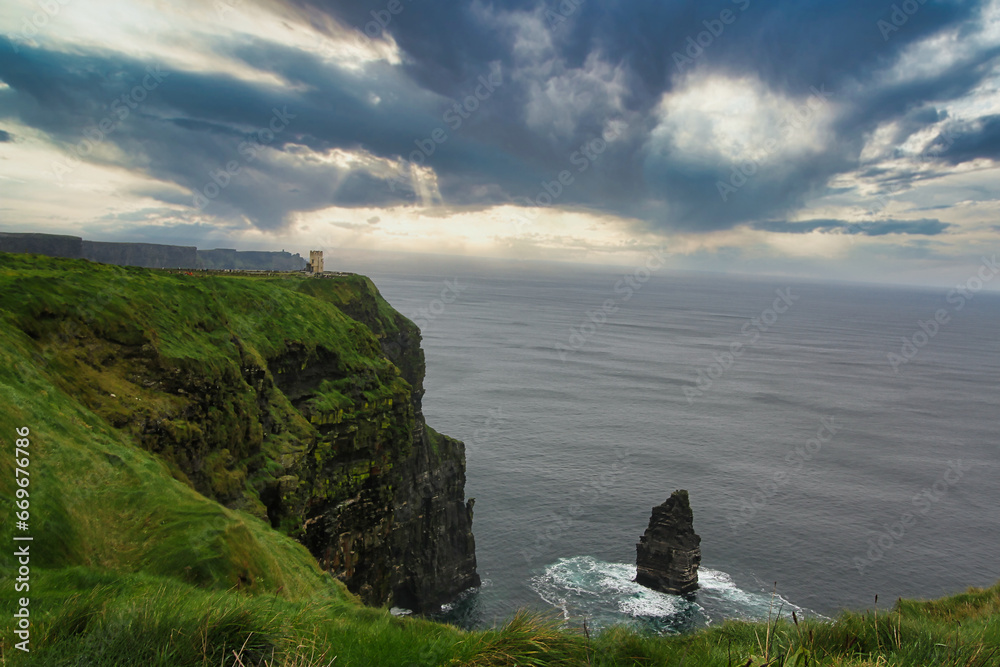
(812,464)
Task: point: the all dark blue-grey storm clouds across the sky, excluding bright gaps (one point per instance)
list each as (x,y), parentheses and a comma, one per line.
(194,124)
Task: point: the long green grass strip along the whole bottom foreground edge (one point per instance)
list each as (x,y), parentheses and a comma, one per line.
(139,619)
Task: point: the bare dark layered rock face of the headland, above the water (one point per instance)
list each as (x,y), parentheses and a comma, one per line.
(381,494)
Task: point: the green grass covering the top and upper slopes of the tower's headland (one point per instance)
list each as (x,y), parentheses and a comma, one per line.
(146,351)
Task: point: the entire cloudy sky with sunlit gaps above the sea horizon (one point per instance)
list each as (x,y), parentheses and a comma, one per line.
(851,140)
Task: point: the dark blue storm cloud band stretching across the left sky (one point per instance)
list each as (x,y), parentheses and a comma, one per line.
(192,125)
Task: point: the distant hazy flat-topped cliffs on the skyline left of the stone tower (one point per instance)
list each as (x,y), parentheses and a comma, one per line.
(149,255)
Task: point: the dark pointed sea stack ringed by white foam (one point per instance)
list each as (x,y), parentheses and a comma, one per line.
(669,553)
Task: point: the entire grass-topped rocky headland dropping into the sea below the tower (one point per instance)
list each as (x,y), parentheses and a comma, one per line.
(297,400)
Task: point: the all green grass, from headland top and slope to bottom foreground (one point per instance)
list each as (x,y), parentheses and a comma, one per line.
(131,564)
